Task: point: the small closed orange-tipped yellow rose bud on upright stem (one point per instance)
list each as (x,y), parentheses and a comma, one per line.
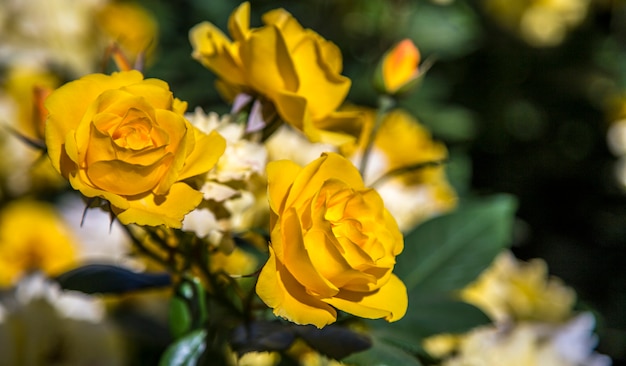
(398,71)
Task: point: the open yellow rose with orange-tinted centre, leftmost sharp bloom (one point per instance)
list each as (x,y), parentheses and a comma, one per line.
(124,139)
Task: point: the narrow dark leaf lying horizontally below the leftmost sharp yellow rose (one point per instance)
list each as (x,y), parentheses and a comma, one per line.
(110,279)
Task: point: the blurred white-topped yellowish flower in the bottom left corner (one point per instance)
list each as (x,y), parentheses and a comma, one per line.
(42,325)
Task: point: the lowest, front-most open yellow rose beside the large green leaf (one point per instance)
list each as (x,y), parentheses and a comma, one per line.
(333,245)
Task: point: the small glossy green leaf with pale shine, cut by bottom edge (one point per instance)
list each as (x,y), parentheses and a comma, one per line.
(186,351)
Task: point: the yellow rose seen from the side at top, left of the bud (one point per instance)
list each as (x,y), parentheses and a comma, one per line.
(294,68)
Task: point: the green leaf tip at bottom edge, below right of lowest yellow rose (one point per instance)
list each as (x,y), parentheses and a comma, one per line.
(382,354)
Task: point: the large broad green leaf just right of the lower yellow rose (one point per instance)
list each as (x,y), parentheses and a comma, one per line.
(448,252)
